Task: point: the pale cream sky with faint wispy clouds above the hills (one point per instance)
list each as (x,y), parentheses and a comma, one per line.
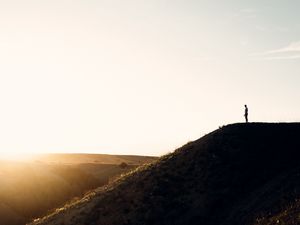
(142,76)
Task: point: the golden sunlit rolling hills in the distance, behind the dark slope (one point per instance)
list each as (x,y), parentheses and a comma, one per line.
(33,188)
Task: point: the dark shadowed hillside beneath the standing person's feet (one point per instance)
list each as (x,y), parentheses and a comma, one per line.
(232,176)
